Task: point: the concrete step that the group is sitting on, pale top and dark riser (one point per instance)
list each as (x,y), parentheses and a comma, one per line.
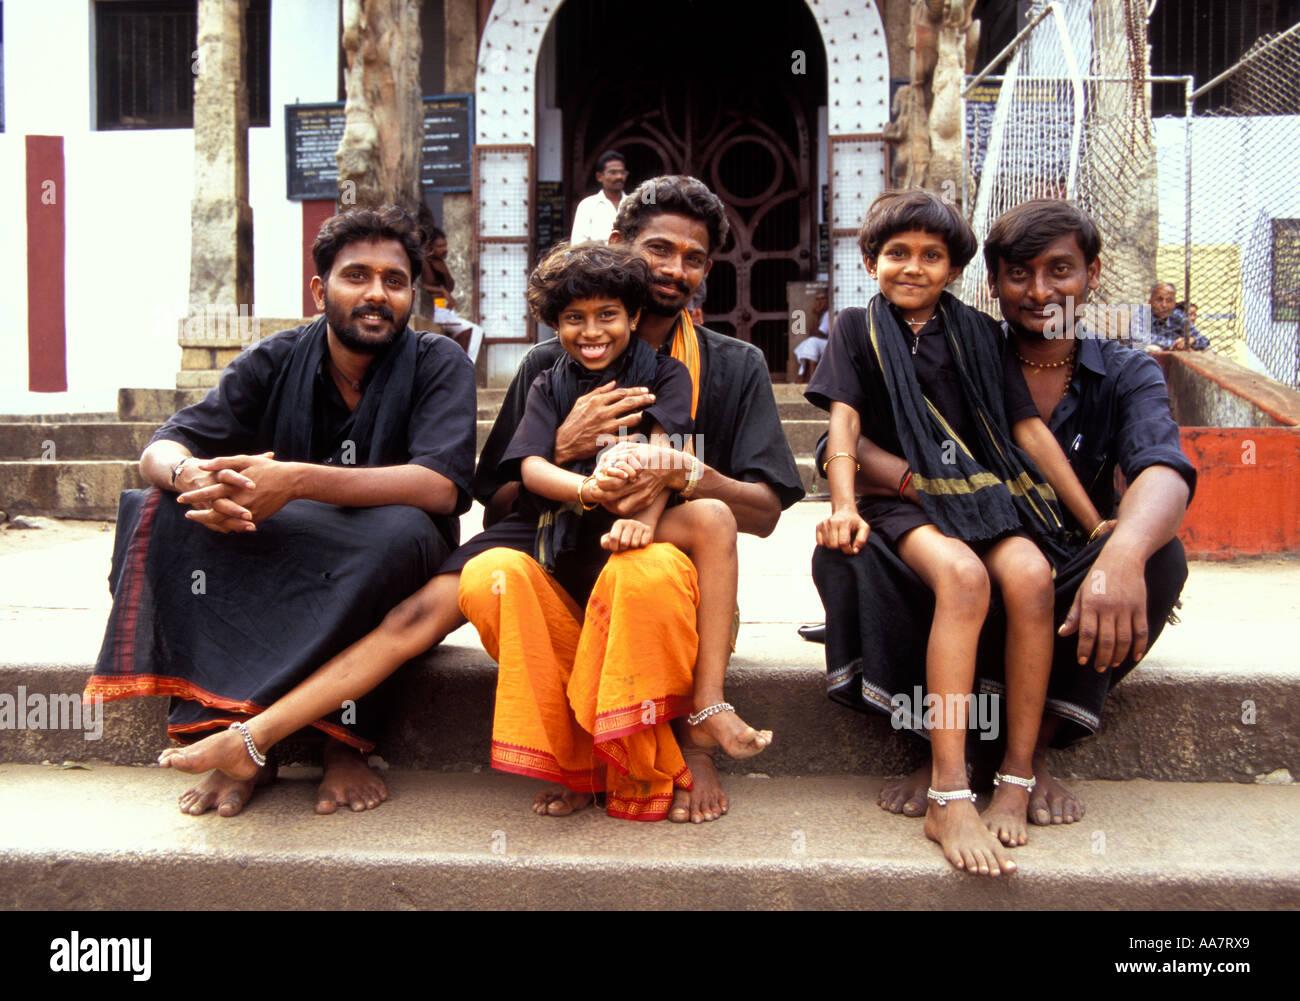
(1217,699)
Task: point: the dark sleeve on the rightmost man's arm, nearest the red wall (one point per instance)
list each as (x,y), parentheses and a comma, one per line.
(1149,435)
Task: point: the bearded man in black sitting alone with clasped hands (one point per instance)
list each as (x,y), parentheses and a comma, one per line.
(306,496)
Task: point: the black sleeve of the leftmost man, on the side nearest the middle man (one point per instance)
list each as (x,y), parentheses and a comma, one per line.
(441,431)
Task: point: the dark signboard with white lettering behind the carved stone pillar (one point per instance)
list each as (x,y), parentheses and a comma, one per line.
(313,135)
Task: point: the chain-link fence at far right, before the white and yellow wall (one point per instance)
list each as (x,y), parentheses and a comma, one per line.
(1243,219)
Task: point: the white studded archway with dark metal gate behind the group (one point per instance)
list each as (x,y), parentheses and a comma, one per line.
(843,46)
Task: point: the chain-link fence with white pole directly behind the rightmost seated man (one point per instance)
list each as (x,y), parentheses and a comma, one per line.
(1069,118)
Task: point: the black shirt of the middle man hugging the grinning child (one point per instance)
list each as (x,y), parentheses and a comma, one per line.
(738,427)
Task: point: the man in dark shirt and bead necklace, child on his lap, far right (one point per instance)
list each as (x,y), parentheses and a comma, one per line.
(1108,408)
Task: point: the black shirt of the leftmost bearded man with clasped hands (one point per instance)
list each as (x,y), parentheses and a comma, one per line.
(440,430)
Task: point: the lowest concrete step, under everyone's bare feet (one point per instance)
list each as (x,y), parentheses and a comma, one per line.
(112,839)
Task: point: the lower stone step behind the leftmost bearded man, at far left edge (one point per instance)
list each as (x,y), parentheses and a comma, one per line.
(67,489)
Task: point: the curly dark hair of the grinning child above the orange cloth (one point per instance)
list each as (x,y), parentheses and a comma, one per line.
(587,271)
